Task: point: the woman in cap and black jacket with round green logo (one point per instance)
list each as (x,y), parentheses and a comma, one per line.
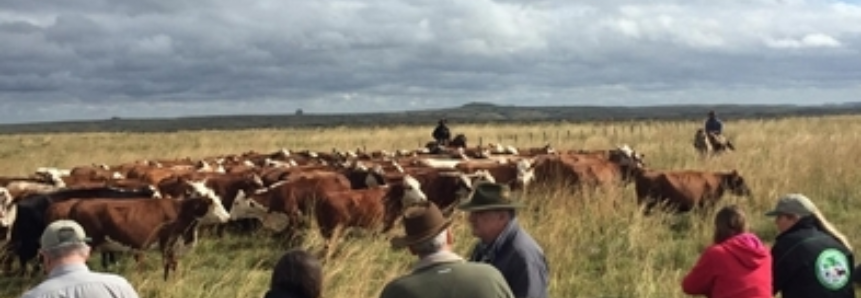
(810,257)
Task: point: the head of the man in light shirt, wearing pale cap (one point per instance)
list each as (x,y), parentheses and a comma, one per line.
(64,242)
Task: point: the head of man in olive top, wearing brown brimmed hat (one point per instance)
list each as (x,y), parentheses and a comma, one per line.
(426,230)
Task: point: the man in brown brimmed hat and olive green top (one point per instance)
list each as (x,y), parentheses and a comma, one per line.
(440,272)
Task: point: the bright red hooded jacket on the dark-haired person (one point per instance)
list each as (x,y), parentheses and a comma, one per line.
(739,267)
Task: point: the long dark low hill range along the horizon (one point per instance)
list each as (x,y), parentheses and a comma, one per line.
(476,112)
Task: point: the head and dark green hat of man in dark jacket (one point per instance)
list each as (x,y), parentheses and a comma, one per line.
(490,209)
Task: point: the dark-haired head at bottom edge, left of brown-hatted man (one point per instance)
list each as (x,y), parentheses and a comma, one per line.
(299,273)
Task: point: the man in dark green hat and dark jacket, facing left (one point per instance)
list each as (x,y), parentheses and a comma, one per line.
(503,243)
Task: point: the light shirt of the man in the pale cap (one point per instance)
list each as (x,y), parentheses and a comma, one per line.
(77,281)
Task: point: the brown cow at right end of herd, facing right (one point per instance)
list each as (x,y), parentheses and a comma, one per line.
(687,189)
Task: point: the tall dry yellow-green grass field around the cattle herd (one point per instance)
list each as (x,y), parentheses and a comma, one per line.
(593,248)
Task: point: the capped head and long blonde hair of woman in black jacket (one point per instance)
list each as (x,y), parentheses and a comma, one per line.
(792,208)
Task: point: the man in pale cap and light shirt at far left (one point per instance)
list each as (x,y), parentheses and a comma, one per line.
(64,254)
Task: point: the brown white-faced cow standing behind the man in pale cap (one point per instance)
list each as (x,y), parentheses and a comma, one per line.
(138,224)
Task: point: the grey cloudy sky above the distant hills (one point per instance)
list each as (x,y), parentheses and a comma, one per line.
(97,59)
